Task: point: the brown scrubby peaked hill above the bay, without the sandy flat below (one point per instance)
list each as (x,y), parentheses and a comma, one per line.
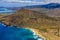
(28,18)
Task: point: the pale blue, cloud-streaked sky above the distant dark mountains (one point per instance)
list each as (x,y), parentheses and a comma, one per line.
(18,3)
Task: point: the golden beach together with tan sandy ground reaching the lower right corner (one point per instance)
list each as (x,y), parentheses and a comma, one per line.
(45,36)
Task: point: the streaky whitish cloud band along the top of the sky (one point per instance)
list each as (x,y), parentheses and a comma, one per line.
(33,1)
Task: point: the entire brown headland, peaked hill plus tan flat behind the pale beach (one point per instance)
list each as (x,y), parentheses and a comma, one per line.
(46,26)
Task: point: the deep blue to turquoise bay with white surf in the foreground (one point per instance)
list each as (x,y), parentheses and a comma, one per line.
(13,33)
